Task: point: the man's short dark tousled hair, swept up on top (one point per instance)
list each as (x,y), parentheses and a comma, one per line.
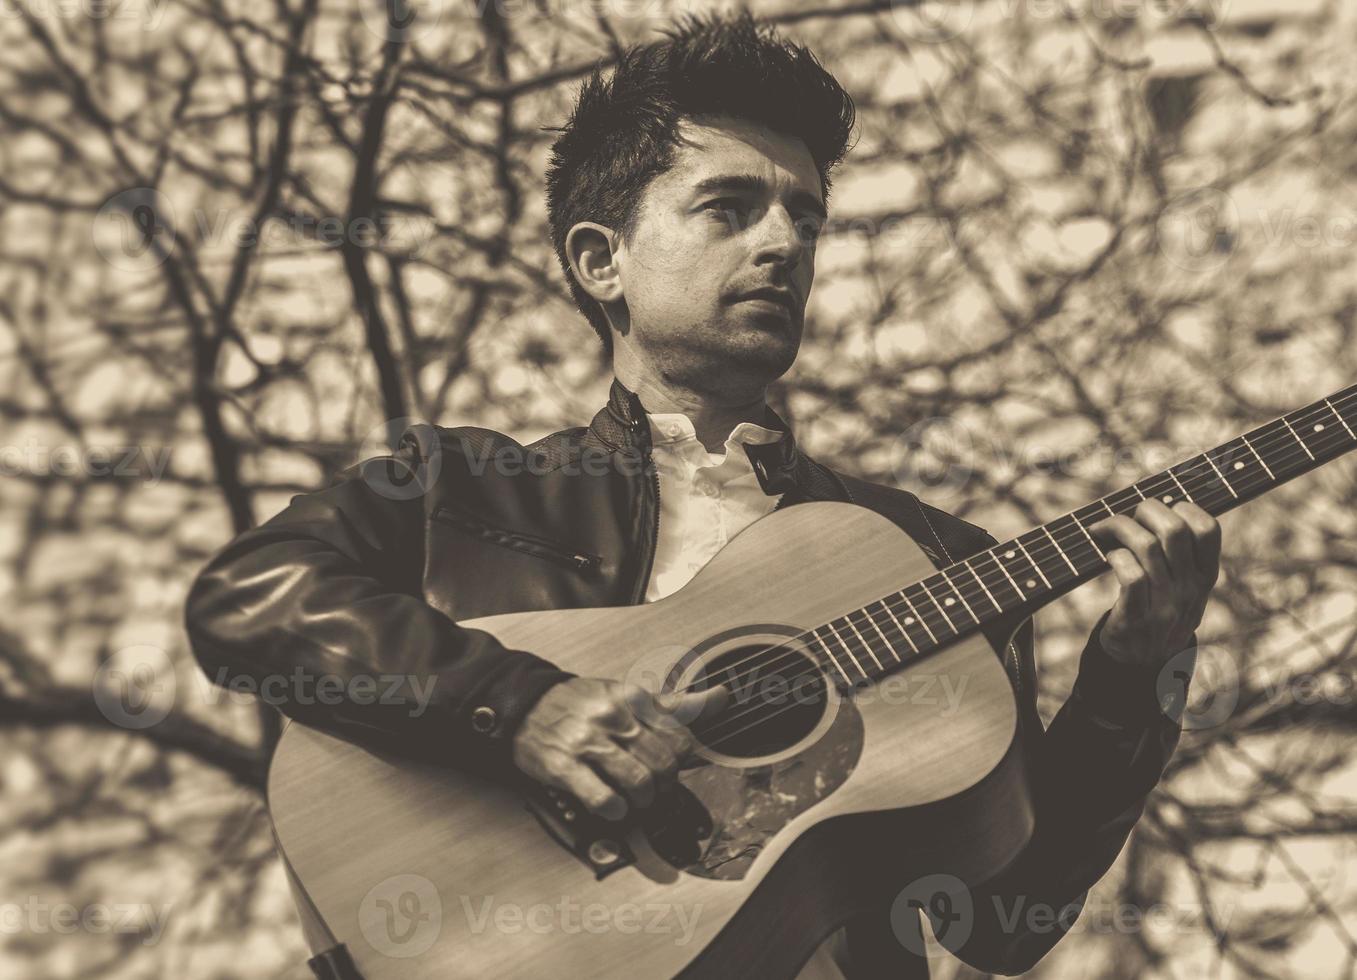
(625,130)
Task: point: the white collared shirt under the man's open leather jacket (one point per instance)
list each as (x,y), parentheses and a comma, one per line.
(706,499)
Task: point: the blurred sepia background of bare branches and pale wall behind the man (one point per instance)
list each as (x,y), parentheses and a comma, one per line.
(242,244)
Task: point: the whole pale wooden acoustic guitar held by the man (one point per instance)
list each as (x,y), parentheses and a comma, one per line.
(871,739)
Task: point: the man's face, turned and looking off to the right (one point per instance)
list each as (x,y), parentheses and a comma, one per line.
(738,214)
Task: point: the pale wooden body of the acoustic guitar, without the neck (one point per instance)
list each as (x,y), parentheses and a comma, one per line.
(780,844)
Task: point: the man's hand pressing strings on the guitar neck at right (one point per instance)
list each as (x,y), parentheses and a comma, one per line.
(1168,561)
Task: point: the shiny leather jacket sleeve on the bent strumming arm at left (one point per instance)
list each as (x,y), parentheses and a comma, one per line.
(320,611)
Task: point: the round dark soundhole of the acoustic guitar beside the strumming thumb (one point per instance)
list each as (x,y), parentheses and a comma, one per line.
(778,697)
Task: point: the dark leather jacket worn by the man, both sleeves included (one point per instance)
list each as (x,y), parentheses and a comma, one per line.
(370,576)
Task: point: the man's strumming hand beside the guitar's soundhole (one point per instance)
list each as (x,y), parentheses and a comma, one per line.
(609,745)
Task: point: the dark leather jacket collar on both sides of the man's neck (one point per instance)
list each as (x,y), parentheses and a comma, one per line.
(780,466)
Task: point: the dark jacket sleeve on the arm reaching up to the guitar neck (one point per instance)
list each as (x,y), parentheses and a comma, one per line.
(1092,773)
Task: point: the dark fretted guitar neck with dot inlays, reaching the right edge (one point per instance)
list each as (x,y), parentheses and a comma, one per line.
(1021,575)
